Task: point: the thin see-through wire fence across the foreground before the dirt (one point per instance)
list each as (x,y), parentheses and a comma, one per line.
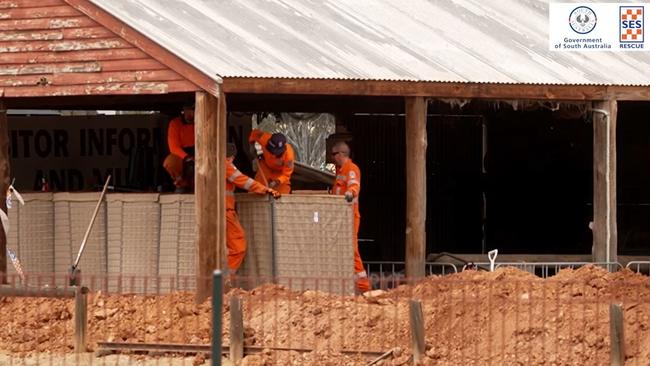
(505,317)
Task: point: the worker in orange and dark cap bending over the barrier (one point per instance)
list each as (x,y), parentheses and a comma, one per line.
(275,160)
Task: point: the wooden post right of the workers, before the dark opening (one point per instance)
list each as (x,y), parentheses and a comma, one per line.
(416,185)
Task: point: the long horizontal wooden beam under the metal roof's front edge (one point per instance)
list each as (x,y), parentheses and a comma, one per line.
(434,89)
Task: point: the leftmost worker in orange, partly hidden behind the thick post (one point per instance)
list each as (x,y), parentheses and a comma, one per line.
(180,139)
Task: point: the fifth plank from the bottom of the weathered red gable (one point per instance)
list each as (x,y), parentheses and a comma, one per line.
(60,46)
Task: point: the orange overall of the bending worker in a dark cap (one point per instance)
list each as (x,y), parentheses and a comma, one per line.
(273,168)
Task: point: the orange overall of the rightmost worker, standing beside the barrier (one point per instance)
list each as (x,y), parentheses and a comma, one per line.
(348,179)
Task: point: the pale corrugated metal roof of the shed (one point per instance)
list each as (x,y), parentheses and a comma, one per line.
(500,41)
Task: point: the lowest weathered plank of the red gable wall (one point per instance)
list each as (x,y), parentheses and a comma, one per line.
(102,89)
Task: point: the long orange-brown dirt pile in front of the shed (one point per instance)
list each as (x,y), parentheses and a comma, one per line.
(505,317)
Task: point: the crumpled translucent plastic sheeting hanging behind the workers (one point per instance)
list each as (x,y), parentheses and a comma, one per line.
(306,132)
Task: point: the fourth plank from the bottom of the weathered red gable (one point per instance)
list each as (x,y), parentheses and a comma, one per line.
(74,56)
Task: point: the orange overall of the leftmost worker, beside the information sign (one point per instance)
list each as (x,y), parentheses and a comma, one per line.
(179,136)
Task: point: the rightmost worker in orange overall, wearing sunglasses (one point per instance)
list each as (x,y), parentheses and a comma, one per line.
(348,184)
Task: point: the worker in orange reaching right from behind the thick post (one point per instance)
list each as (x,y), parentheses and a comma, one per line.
(235,240)
